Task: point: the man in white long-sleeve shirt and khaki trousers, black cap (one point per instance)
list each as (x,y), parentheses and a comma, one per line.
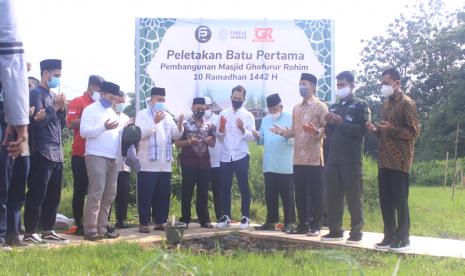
(100,126)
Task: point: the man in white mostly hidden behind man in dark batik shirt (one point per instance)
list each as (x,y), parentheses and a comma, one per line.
(215,178)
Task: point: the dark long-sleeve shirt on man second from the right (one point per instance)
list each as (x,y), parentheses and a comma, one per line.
(346,139)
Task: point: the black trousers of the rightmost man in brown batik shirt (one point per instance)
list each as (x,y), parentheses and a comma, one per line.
(393,198)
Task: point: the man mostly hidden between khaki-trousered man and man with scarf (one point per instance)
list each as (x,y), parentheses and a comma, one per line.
(122,184)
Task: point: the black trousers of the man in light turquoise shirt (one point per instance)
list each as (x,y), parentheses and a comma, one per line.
(279,185)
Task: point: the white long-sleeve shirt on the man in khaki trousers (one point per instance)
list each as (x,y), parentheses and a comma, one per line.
(99,140)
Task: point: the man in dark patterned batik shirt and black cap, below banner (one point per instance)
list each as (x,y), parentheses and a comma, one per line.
(198,136)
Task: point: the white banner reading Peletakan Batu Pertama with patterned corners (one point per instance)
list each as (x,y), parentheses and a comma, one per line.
(208,57)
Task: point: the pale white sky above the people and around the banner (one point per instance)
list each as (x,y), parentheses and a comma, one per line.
(97,36)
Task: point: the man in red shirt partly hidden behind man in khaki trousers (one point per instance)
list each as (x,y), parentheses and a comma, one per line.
(78,165)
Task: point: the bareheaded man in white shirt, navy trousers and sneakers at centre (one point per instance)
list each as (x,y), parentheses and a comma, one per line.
(234,133)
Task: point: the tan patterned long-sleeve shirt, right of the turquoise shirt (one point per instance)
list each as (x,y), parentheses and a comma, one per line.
(308,148)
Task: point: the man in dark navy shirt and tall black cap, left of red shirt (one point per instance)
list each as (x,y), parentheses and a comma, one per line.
(44,182)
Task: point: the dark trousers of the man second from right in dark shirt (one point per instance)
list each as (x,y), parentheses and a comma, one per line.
(345,180)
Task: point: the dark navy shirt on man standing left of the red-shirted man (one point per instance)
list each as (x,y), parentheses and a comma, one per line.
(46,134)
